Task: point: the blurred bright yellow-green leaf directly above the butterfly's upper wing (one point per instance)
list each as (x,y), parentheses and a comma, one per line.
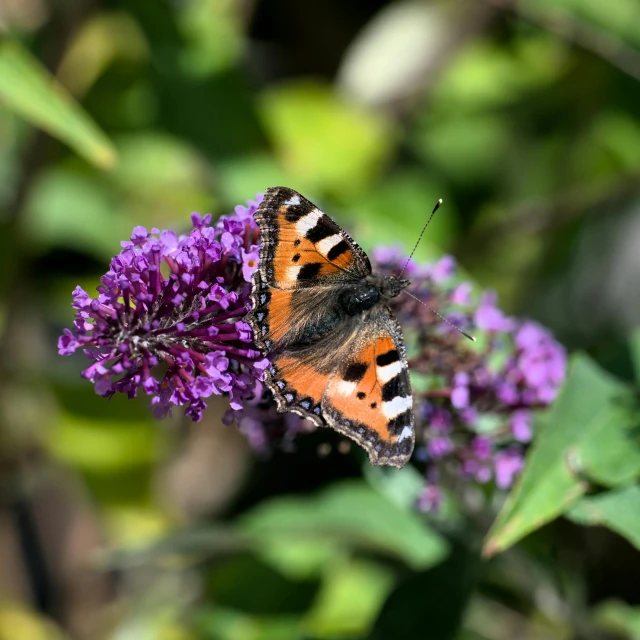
(325,142)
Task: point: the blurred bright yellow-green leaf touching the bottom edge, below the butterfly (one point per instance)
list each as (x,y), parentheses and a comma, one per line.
(350,598)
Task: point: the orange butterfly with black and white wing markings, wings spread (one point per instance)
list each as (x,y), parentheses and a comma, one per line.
(337,352)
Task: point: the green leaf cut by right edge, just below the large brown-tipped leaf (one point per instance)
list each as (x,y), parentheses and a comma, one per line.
(619,510)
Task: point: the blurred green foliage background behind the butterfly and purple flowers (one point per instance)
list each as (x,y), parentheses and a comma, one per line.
(522,115)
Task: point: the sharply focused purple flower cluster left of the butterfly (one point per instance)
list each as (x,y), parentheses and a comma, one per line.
(168,317)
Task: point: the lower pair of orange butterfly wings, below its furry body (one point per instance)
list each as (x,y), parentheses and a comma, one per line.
(360,388)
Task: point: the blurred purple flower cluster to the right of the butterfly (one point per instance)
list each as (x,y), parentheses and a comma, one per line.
(474,401)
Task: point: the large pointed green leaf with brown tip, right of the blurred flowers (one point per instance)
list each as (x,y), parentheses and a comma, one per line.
(549,484)
